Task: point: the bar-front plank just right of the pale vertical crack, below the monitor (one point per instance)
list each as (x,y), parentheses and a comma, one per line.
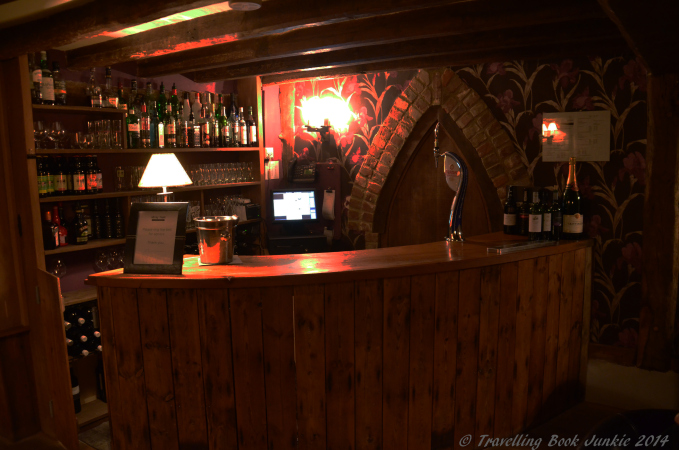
(310,356)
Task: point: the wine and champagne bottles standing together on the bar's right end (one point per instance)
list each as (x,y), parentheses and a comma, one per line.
(546,215)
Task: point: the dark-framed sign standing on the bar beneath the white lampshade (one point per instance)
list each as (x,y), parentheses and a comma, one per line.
(156,234)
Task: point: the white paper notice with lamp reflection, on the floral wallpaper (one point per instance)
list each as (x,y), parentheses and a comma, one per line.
(583,134)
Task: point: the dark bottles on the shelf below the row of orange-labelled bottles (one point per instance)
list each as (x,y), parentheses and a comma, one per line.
(89,222)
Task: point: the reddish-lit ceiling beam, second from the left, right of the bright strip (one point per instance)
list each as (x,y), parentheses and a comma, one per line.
(275,16)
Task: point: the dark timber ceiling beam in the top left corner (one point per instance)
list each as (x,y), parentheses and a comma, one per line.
(91,19)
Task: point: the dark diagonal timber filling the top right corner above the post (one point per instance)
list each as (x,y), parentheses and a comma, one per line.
(650,29)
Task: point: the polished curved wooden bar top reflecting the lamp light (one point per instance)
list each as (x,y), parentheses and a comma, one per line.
(279,270)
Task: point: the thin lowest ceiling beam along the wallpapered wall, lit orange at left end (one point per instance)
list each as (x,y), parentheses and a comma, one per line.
(533,52)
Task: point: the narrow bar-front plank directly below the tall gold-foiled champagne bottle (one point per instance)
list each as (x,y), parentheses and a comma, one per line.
(566,304)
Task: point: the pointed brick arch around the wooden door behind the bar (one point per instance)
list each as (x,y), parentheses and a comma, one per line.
(428,88)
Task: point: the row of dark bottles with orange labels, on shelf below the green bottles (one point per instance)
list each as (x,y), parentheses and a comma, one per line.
(68,176)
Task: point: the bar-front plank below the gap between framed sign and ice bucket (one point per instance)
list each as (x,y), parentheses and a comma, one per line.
(184,326)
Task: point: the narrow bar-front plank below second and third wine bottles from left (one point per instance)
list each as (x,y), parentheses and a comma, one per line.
(524,319)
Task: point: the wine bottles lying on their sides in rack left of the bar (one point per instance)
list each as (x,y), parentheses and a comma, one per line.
(82,330)
